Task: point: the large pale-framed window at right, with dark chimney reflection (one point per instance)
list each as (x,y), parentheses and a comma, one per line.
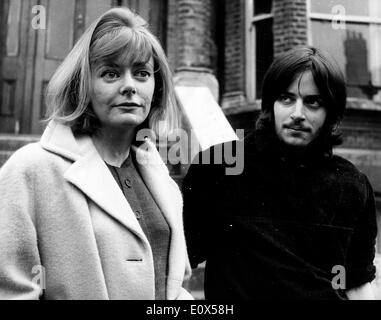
(351,32)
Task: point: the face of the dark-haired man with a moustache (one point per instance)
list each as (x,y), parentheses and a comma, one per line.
(299,112)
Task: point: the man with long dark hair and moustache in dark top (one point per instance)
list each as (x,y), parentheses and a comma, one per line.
(299,222)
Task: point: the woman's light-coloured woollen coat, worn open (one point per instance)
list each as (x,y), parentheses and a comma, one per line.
(60,208)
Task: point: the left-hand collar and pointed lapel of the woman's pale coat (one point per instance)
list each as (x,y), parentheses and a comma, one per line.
(90,174)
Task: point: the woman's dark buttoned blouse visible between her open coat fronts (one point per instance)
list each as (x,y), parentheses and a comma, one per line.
(150,217)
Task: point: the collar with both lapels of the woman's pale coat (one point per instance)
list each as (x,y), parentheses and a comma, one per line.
(90,174)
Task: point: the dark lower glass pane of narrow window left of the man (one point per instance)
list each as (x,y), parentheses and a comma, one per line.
(264,51)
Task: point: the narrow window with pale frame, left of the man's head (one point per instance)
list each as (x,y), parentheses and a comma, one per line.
(259,44)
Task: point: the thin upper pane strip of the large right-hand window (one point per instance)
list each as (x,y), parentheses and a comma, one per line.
(352,7)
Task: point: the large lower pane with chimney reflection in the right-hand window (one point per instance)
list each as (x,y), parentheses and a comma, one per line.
(357,50)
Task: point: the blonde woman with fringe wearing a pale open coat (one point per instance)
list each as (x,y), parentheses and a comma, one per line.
(81,216)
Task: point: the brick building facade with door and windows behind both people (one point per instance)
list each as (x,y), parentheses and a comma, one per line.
(225,45)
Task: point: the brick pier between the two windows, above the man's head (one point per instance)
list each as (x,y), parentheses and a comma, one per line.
(290,24)
